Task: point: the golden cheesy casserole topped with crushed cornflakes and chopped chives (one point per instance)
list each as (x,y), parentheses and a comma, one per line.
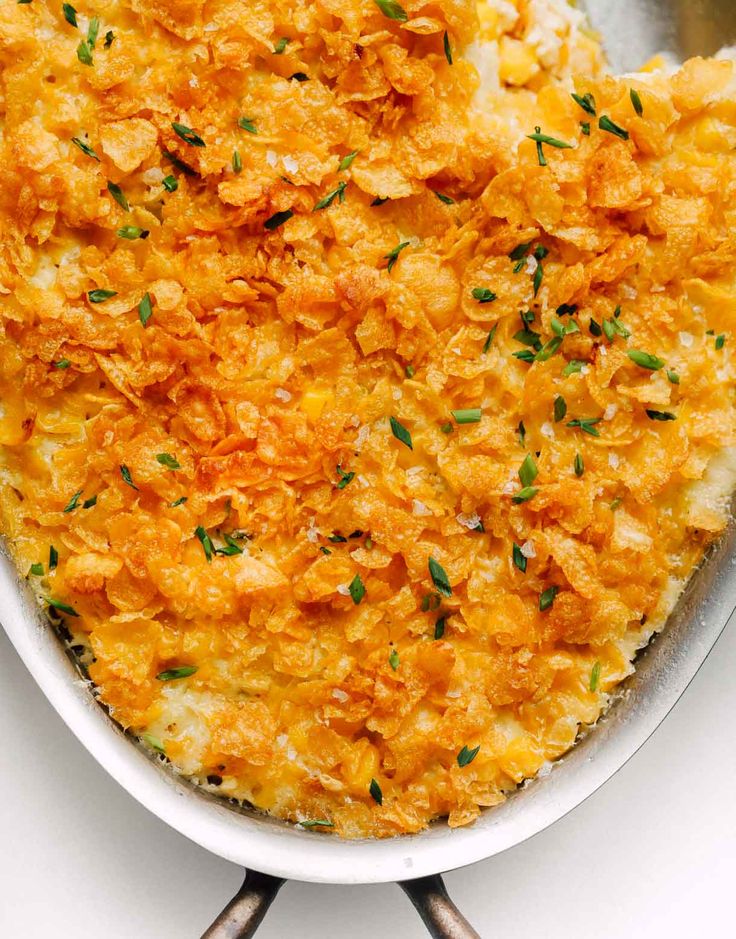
(366,380)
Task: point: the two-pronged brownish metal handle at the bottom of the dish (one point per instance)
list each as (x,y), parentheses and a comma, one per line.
(244,913)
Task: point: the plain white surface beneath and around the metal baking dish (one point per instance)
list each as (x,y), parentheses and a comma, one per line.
(652,854)
